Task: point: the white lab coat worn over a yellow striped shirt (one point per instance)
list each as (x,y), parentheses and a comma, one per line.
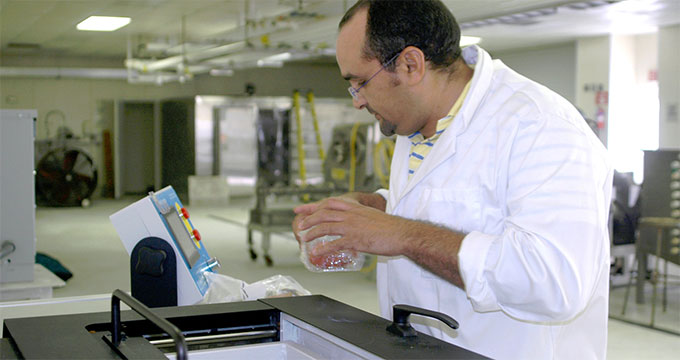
(523,175)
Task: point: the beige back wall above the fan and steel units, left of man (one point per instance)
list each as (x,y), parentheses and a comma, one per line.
(80,100)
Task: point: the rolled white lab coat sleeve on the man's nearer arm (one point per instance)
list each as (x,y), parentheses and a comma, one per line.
(546,263)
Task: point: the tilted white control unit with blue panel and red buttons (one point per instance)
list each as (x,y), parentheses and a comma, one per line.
(159,237)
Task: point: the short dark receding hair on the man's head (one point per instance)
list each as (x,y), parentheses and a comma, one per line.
(393,25)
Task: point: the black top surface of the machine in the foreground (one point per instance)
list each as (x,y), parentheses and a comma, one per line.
(79,336)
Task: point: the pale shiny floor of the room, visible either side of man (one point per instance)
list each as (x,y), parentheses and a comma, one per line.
(85,242)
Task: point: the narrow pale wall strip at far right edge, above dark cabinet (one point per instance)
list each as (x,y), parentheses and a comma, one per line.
(669,87)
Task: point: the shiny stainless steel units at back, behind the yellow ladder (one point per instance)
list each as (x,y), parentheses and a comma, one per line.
(226,131)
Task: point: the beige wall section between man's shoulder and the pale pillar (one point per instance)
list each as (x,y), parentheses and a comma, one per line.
(553,66)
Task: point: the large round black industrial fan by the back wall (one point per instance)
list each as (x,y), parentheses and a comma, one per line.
(66,177)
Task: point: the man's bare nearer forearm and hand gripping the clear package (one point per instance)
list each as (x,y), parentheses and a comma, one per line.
(363,225)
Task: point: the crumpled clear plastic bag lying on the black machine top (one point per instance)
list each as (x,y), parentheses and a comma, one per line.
(224,288)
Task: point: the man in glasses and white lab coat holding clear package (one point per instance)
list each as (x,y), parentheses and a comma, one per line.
(499,192)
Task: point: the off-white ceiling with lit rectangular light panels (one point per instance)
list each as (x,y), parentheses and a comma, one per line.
(160,27)
